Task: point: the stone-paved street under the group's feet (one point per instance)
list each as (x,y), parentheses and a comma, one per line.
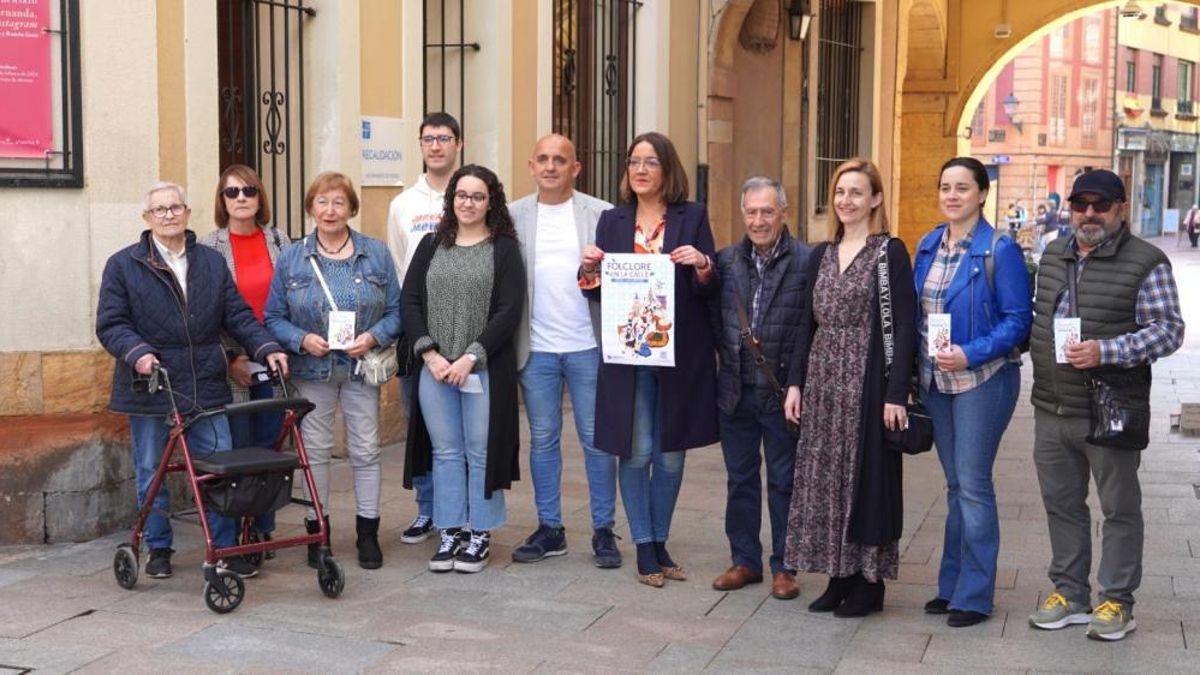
(62,611)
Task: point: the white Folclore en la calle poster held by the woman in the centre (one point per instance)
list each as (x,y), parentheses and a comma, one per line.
(638,309)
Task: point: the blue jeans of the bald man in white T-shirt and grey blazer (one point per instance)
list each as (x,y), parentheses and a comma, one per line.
(543,385)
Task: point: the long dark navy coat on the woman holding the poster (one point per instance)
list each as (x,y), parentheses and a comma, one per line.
(687,392)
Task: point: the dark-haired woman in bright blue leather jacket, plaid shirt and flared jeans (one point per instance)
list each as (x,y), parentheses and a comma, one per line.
(971,381)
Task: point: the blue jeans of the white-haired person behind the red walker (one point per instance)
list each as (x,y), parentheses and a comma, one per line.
(149,435)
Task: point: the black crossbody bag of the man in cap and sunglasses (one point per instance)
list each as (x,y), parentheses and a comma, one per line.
(1115,423)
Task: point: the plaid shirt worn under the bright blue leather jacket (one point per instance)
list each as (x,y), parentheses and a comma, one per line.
(933,301)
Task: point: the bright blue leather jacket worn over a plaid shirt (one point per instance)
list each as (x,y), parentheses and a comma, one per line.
(987,322)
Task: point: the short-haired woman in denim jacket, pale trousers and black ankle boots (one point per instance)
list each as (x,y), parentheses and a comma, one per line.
(362,279)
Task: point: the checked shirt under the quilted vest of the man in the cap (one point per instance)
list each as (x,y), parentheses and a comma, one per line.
(1157,313)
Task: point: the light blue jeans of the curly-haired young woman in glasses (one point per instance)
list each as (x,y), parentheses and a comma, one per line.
(458,427)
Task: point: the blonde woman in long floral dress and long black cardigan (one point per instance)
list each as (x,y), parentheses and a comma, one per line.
(847,512)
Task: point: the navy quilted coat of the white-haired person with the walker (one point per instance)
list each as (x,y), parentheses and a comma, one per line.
(142,312)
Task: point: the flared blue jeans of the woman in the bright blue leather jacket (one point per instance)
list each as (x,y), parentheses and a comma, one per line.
(968,429)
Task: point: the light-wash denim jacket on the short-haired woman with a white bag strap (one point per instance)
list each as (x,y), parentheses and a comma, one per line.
(298,304)
